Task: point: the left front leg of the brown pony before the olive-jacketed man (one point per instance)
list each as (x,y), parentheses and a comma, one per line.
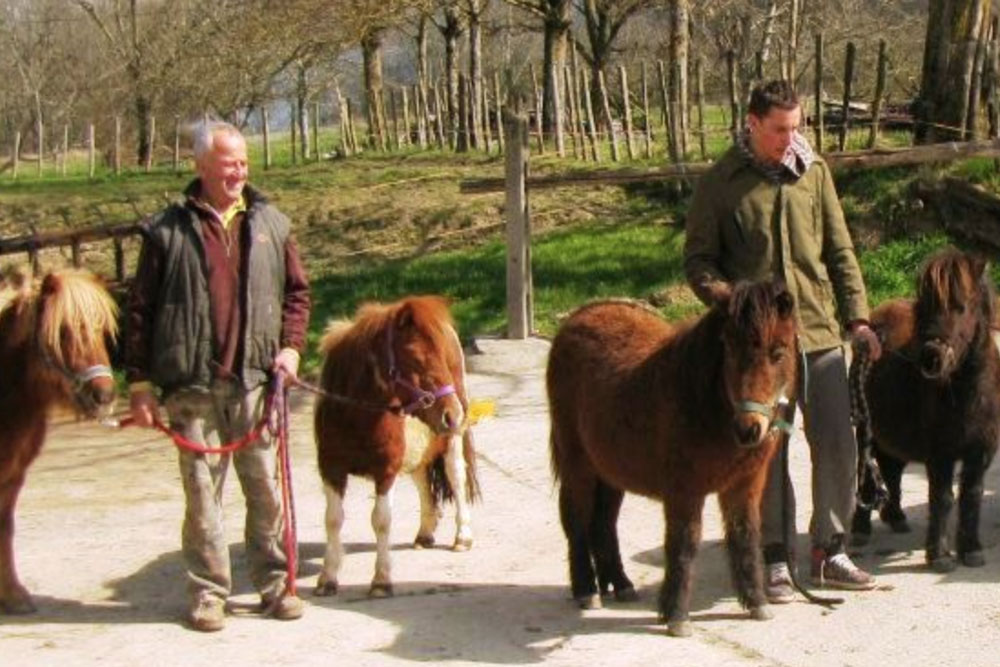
(683,521)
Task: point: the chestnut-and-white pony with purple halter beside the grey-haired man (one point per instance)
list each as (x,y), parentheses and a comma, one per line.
(394,402)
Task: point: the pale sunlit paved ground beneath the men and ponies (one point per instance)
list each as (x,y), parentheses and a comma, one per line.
(98,544)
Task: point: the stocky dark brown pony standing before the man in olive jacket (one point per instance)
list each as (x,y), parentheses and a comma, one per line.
(673,413)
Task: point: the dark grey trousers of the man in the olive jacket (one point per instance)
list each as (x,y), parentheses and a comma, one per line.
(832,449)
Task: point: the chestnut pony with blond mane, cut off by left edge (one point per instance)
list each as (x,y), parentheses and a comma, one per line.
(53,350)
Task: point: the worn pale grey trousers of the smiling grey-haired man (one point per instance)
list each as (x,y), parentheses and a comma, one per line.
(213,419)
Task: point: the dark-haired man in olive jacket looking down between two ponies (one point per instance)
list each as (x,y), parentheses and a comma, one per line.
(768,208)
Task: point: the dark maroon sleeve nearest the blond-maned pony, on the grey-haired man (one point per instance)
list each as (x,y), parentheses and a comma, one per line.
(140,310)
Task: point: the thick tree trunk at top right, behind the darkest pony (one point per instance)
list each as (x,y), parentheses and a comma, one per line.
(953,29)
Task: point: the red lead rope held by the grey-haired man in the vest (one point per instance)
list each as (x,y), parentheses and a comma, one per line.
(274,418)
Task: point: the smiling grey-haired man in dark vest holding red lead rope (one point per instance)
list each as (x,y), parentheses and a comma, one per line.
(219,303)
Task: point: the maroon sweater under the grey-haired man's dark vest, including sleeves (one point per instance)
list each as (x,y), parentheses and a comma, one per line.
(226,253)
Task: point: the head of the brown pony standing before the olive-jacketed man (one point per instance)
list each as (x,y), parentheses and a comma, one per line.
(760,360)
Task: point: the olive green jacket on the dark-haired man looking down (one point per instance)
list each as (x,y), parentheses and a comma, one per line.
(741,226)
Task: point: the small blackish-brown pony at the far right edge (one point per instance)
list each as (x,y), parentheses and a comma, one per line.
(934,397)
